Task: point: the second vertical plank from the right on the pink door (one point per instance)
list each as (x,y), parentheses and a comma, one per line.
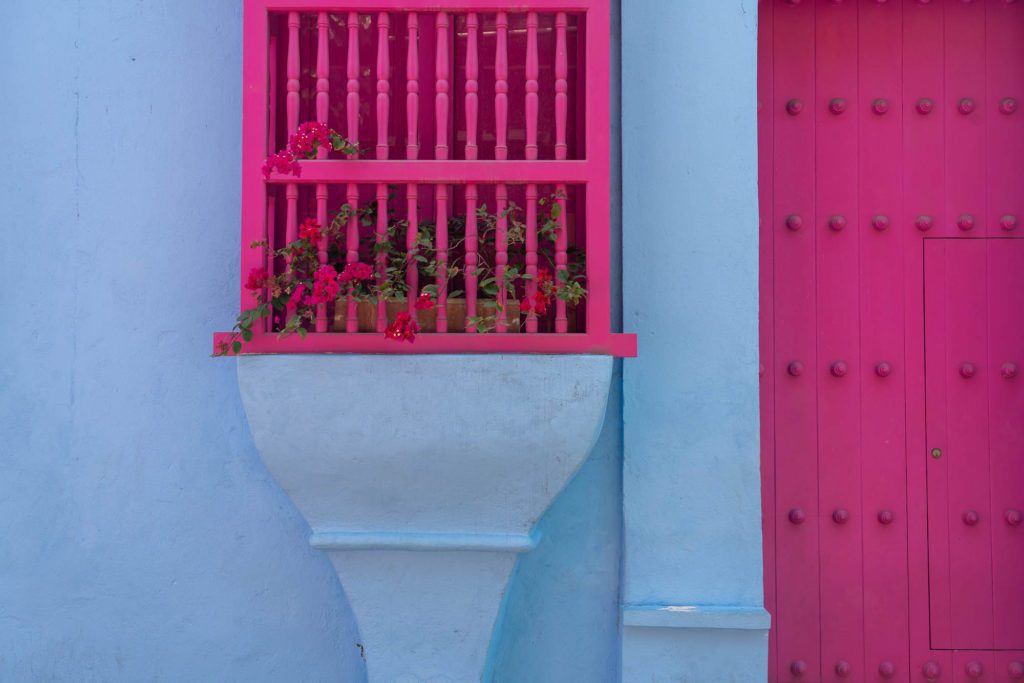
(971,561)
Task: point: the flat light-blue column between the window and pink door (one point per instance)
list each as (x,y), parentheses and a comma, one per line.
(693,577)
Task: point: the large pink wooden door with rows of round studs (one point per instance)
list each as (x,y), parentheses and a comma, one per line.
(892,297)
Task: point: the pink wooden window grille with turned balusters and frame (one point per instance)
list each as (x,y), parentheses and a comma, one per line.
(456,109)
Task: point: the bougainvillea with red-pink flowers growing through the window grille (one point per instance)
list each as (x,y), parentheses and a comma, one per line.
(308,284)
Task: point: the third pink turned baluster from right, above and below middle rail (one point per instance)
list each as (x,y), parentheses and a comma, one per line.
(501,153)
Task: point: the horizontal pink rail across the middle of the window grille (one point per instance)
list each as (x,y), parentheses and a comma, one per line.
(429,172)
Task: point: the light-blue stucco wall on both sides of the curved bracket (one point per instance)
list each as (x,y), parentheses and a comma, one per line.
(141,536)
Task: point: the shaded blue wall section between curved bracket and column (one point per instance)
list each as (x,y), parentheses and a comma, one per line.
(561,620)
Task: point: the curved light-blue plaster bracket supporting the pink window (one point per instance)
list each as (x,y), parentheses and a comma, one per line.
(389,457)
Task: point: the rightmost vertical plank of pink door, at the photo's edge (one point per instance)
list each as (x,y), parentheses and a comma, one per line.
(1005,204)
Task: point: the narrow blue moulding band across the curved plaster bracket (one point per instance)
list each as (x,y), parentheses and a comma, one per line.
(511,543)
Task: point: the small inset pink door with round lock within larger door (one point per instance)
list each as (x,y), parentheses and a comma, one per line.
(974,340)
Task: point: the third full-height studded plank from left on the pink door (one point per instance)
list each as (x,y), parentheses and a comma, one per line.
(882,357)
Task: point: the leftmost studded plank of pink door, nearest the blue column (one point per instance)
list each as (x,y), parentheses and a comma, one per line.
(796,363)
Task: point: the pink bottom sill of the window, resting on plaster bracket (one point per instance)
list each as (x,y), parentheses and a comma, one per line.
(620,346)
